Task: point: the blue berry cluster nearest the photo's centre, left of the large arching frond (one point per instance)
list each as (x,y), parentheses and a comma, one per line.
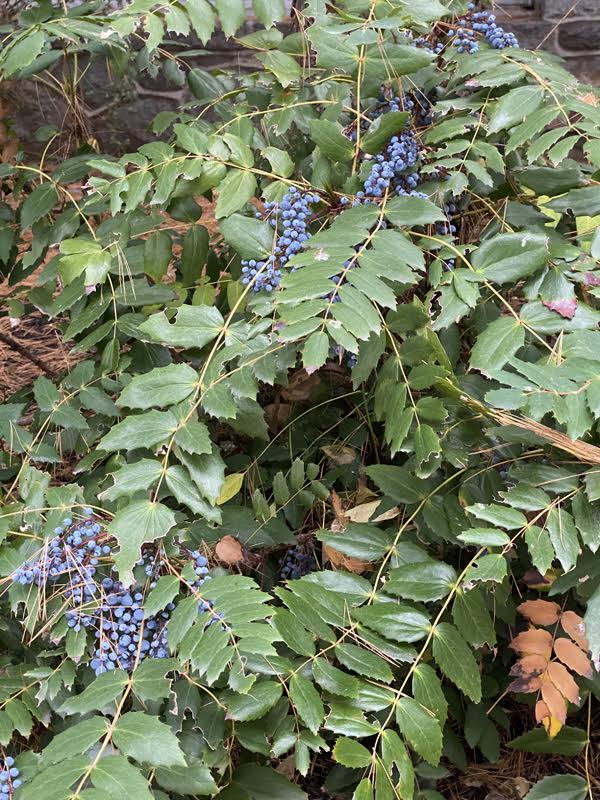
(290,219)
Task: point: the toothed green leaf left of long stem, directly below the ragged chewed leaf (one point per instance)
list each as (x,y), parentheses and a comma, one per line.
(163,386)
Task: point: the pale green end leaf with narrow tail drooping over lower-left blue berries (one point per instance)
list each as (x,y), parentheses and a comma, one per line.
(137,523)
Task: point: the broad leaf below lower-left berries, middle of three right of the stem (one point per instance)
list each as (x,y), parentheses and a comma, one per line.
(148,740)
